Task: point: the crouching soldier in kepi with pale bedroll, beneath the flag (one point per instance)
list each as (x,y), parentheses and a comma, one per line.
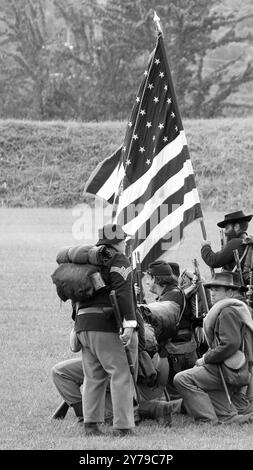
(175,333)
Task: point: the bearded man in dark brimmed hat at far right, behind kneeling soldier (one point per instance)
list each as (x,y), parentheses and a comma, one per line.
(235,225)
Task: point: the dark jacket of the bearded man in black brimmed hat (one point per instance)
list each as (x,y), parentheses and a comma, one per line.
(223,258)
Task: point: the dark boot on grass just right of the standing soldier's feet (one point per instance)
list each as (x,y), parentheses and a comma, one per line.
(161,411)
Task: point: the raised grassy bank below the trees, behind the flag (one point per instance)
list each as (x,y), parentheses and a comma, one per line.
(46,164)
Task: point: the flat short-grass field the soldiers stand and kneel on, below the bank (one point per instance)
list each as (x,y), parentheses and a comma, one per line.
(34,336)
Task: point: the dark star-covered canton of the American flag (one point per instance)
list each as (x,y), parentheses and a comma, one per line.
(154,122)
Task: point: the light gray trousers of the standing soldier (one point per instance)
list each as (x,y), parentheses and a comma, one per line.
(104,357)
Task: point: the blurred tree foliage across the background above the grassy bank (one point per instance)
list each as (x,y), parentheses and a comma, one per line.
(84,59)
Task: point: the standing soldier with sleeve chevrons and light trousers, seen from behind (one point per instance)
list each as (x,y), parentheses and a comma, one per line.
(103,354)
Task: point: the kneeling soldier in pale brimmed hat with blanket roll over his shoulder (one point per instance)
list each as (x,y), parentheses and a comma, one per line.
(204,395)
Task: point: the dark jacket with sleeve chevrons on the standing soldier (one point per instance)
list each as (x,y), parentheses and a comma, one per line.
(118,276)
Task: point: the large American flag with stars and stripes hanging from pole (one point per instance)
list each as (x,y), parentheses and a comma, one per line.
(150,177)
